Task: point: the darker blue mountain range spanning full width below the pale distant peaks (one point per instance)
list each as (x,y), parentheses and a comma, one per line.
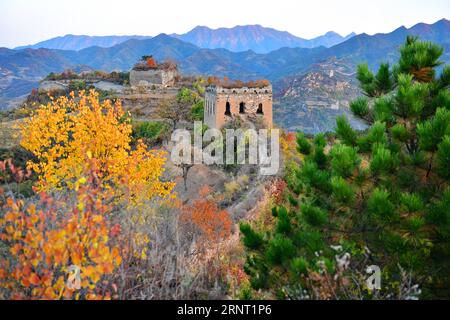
(288,68)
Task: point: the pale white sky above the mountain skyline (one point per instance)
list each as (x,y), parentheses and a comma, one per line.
(24,22)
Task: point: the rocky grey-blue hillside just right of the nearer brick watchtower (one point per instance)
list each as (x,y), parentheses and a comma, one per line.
(311,101)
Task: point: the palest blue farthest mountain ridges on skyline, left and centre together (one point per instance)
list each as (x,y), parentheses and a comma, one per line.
(240,38)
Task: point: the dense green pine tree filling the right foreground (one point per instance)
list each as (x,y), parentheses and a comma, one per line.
(386,189)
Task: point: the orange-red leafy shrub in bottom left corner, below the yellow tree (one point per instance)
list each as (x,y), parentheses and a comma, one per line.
(46,238)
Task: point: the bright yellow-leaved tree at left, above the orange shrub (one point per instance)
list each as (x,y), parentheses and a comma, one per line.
(68,132)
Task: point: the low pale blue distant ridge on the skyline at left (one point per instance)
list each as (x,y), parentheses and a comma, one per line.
(76,43)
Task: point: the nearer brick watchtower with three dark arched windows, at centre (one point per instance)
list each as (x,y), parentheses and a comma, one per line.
(251,101)
